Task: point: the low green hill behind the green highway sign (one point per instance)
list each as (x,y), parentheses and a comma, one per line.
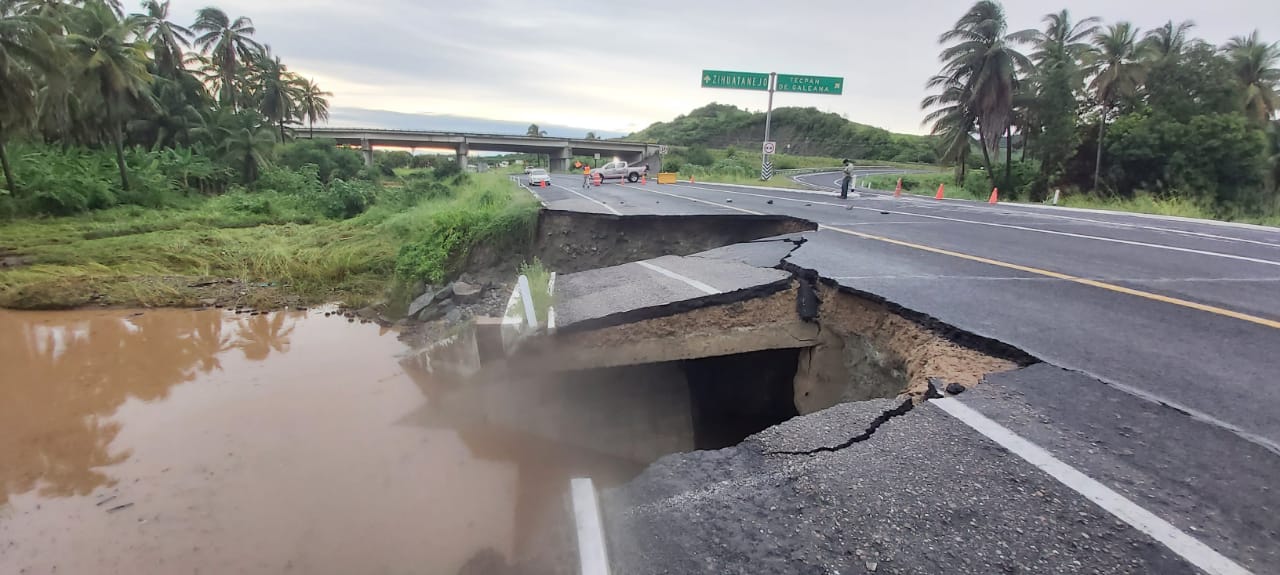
(799,131)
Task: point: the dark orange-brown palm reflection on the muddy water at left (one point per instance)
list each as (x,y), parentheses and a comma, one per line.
(65,375)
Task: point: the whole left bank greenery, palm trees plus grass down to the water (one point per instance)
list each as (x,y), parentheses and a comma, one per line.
(141,172)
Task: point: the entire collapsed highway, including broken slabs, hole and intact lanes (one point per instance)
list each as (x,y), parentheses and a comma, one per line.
(921,387)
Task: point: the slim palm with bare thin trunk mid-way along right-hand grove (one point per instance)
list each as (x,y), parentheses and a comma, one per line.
(1119,71)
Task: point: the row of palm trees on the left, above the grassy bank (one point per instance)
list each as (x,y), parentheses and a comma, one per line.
(85,74)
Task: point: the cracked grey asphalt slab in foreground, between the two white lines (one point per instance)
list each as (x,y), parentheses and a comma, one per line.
(924,494)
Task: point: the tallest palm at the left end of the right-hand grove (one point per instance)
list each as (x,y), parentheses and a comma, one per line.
(982,58)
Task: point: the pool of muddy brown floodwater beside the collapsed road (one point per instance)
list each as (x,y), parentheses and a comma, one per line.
(179,442)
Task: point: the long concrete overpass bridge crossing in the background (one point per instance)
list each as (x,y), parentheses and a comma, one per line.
(561,150)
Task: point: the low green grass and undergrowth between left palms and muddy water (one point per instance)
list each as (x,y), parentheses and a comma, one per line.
(277,244)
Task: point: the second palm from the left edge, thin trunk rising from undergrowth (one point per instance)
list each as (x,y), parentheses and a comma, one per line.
(115,65)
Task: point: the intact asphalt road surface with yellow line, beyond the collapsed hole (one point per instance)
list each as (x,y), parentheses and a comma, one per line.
(1162,336)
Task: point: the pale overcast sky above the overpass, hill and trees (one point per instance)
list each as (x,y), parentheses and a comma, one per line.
(578,63)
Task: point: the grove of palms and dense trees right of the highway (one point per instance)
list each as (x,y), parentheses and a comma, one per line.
(1109,108)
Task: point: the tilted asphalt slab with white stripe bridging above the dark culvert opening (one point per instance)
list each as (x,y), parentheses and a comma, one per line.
(657,287)
